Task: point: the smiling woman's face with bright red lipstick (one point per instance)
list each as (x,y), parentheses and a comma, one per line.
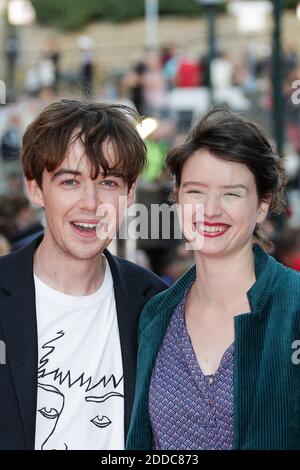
(222,204)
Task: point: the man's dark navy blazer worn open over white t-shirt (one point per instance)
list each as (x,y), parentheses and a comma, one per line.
(133,286)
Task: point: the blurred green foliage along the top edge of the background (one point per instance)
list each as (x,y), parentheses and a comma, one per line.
(74,14)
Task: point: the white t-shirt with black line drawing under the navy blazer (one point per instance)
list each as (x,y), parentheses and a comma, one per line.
(80,403)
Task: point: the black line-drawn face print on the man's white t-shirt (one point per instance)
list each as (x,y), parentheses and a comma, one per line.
(57,415)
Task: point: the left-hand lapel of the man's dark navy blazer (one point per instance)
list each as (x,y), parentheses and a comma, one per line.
(18,318)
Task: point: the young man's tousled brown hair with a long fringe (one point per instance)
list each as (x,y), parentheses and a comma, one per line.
(48,138)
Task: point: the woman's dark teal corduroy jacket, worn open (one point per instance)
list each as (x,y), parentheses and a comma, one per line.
(267,359)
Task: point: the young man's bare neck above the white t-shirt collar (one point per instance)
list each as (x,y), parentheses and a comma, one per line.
(67,274)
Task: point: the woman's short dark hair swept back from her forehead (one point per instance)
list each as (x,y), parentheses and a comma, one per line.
(232,138)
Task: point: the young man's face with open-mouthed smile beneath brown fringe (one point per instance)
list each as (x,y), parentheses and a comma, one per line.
(82,214)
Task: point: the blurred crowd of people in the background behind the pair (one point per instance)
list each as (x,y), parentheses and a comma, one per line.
(173,87)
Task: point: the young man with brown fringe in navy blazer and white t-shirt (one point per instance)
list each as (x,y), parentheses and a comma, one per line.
(68,308)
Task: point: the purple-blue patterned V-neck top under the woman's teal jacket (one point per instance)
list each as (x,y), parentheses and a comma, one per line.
(190,410)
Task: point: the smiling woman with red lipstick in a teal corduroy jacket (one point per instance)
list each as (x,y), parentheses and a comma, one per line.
(218,365)
